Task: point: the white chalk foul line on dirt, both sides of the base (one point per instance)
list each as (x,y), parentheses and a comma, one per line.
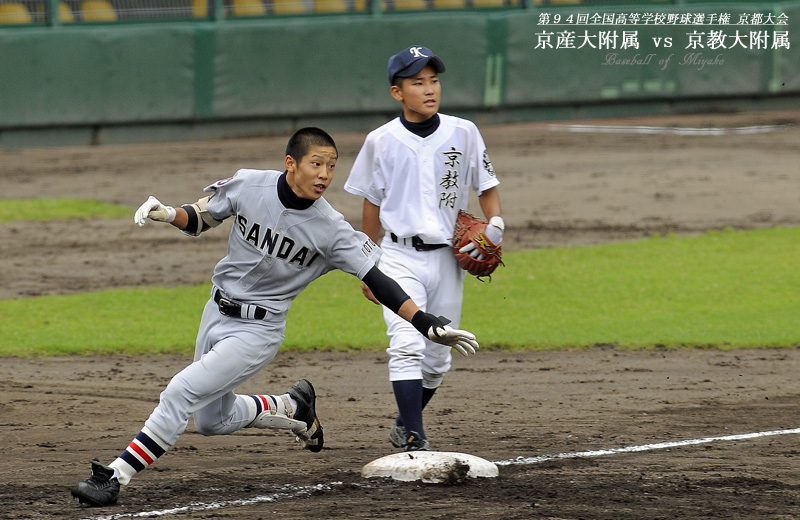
(289,492)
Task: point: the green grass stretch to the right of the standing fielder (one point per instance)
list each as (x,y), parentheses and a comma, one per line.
(722,289)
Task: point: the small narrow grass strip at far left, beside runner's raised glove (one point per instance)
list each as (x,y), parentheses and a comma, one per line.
(49,209)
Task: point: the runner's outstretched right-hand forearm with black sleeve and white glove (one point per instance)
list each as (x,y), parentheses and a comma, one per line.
(435,328)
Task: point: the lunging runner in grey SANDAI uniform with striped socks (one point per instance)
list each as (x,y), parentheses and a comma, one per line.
(284,236)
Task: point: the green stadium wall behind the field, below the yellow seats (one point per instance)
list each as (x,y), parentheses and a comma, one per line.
(115,83)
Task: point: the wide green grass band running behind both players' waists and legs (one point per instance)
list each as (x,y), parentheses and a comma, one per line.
(724,289)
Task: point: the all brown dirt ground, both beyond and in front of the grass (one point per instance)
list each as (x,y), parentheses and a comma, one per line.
(545,417)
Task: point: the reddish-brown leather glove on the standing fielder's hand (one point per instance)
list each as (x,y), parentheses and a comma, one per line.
(470,229)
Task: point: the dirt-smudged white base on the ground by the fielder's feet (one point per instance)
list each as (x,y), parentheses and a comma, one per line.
(430,466)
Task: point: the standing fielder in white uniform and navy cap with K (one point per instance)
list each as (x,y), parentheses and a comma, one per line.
(415,173)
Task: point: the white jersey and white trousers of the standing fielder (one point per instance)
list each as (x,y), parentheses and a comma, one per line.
(420,184)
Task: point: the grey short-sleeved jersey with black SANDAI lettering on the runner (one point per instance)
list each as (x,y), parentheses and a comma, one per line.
(275,252)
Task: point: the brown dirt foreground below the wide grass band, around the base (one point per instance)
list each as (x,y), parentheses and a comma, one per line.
(498,406)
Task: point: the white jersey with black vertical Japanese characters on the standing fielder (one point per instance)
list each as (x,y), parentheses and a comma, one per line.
(428,178)
